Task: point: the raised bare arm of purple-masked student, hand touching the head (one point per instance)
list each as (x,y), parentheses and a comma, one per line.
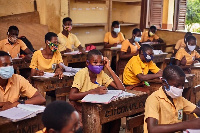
(117,84)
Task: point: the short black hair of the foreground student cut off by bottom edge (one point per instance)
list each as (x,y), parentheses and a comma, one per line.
(57,115)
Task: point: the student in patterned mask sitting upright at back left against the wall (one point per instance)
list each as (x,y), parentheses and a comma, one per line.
(66,39)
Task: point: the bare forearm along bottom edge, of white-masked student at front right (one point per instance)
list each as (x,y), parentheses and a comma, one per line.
(154,127)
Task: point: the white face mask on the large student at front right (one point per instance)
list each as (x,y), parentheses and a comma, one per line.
(172,91)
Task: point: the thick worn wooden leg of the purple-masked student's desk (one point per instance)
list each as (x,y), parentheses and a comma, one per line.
(91,118)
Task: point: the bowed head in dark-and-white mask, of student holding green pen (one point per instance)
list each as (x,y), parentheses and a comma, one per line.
(146,53)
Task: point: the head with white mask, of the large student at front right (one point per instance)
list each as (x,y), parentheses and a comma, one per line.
(173,79)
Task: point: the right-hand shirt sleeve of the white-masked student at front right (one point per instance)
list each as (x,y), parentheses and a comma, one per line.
(188,107)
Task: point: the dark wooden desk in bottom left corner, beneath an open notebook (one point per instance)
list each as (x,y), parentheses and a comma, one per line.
(30,125)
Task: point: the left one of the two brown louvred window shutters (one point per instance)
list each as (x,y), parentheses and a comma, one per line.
(156,13)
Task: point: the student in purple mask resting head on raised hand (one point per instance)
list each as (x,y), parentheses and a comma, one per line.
(93,80)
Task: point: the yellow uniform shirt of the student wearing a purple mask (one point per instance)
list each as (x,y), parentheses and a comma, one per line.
(83,83)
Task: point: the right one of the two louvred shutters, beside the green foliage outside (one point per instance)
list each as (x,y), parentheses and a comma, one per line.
(181,14)
